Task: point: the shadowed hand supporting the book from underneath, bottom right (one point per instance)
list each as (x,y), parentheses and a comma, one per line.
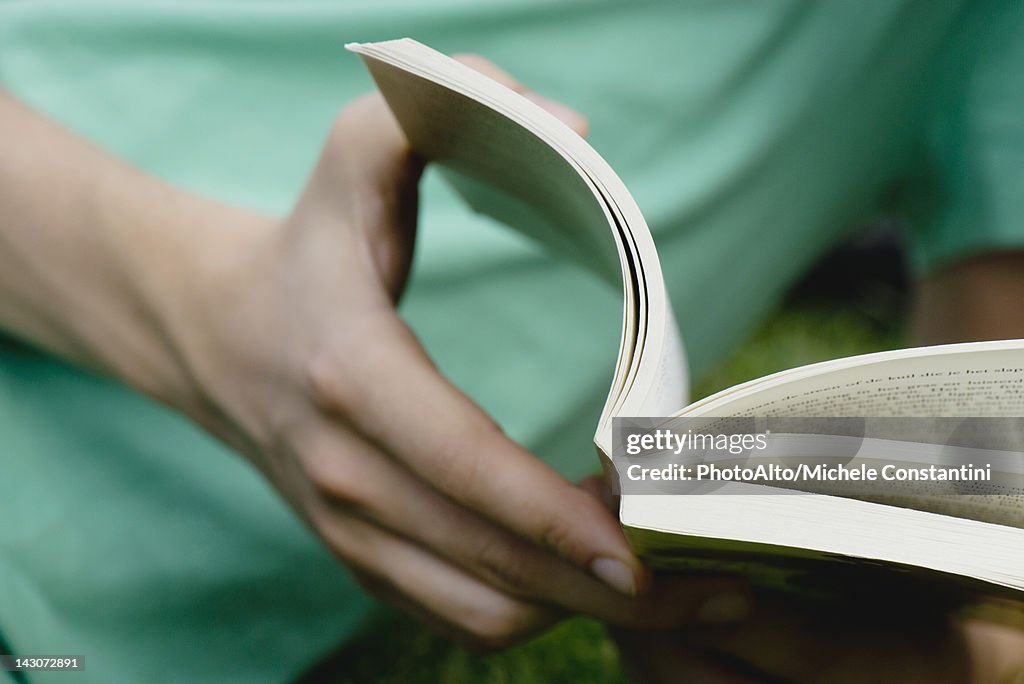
(793,640)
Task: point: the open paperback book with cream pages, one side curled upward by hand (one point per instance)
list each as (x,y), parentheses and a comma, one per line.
(517,162)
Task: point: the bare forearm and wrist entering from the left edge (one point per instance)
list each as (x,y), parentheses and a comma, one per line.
(111,269)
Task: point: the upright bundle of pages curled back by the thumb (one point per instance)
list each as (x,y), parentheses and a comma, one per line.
(515,161)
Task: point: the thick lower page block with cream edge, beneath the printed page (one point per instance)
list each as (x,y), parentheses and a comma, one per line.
(774,533)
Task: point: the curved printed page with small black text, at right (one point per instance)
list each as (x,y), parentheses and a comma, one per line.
(983,379)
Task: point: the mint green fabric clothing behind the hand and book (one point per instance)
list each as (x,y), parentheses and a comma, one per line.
(753,135)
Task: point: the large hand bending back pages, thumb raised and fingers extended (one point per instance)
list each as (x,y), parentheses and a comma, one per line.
(296,357)
